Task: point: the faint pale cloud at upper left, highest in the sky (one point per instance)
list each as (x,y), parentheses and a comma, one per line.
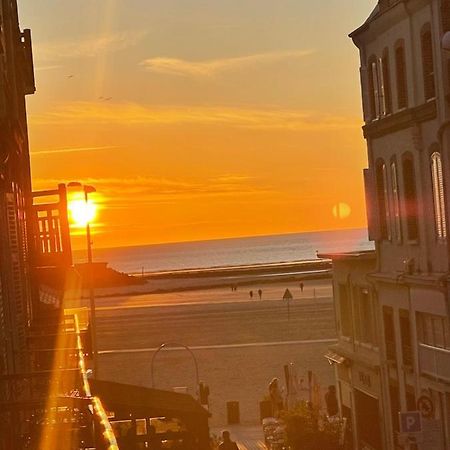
(88,47)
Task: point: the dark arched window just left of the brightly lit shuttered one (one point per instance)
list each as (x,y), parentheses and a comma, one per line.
(410,197)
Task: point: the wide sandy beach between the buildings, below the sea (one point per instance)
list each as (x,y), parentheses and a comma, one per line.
(240,343)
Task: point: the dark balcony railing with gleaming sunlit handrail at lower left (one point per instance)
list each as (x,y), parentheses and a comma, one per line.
(52,406)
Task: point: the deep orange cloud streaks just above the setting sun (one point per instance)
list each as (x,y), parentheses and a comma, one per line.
(123,192)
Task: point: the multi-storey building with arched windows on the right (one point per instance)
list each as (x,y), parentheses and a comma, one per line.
(392,359)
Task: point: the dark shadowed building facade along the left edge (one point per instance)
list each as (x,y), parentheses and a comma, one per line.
(16,81)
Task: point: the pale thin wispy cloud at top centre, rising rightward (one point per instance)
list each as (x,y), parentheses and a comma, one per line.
(181,67)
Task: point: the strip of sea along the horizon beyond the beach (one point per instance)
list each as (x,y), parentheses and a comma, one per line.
(219,253)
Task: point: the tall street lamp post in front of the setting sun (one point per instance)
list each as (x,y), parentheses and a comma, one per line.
(88,190)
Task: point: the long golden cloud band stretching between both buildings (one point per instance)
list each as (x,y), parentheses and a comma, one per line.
(78,113)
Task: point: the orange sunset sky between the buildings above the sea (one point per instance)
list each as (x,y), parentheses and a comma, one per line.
(200,119)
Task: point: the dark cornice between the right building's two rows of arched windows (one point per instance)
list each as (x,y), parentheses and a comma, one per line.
(401,120)
